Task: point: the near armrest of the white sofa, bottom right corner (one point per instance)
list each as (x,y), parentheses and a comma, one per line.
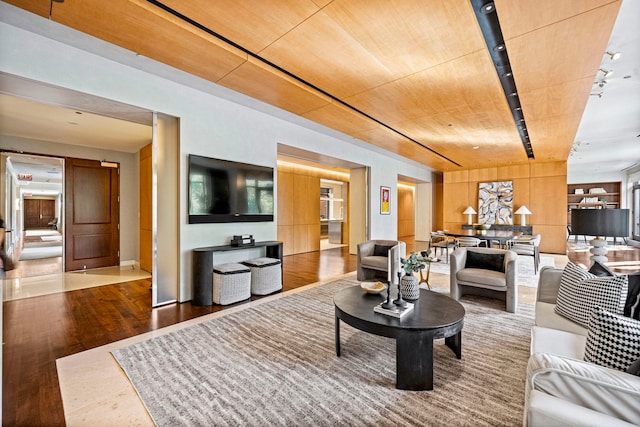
(607,391)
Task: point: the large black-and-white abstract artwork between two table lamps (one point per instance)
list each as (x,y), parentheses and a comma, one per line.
(495,202)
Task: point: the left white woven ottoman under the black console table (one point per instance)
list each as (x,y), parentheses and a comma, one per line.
(231,283)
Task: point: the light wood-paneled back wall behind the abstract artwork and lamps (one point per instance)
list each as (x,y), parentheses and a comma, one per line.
(539,186)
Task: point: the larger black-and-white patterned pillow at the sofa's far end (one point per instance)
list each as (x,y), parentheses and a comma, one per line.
(580,292)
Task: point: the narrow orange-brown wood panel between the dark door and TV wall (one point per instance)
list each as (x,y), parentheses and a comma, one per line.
(146,237)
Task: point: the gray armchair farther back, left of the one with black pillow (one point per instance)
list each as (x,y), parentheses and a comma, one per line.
(380,259)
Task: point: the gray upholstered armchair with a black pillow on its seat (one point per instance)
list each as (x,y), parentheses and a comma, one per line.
(484,271)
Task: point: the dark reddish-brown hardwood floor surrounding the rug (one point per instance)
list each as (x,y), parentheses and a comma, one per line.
(39,330)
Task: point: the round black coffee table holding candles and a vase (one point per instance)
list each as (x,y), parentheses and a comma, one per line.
(434,316)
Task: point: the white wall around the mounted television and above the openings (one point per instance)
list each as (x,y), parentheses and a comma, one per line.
(210,124)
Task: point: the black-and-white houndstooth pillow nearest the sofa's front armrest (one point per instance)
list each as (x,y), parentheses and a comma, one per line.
(613,340)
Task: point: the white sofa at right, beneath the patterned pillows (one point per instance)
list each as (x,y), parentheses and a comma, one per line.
(563,389)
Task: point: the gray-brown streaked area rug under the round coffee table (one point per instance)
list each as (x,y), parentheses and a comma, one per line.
(275,364)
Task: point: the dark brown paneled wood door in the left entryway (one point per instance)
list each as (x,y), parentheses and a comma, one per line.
(92,215)
